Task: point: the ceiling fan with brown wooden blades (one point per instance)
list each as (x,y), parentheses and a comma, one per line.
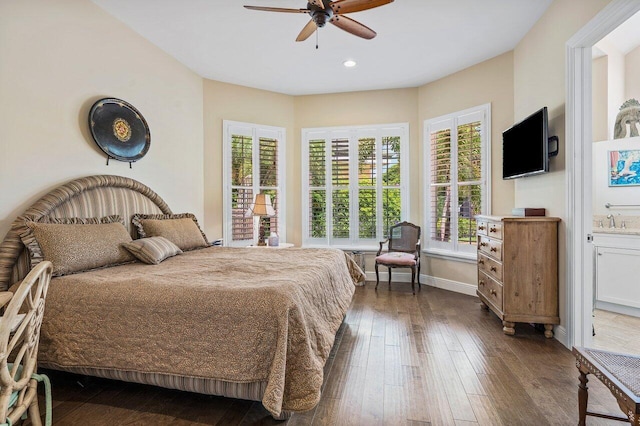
(323,11)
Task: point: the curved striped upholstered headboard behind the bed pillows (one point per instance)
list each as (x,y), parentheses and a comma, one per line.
(91,196)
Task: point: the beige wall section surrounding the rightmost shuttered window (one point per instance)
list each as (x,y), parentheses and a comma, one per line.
(488,82)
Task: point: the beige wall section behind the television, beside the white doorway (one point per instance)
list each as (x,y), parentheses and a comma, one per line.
(539,80)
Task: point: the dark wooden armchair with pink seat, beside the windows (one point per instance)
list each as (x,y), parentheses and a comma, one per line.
(403,251)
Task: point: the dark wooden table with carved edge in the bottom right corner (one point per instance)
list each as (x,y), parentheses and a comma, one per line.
(620,373)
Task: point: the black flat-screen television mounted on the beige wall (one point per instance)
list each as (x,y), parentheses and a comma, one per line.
(525,147)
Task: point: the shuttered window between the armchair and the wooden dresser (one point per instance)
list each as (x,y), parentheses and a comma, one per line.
(456,179)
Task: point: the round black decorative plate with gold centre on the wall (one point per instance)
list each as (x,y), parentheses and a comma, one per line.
(119,130)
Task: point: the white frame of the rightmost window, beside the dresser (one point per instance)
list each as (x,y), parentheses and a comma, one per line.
(451,121)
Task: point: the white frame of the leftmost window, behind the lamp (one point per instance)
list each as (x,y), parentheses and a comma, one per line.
(255,131)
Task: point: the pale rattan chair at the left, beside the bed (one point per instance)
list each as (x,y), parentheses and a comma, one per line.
(19,338)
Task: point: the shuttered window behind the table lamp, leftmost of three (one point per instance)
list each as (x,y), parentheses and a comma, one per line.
(253,163)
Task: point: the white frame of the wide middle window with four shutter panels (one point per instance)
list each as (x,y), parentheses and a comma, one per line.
(353,134)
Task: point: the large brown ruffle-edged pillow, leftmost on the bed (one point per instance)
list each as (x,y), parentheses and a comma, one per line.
(77,244)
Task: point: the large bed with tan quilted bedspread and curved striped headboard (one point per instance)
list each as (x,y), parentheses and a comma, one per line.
(236,322)
